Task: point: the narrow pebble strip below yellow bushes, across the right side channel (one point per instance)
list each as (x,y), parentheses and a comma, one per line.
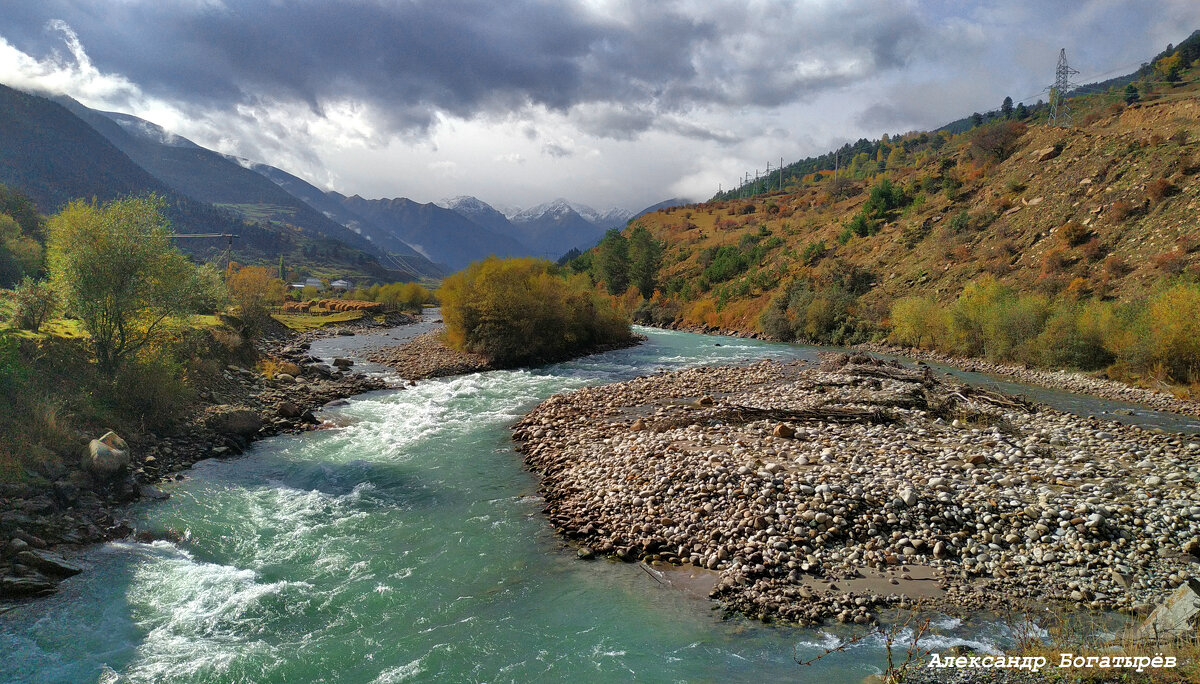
(1069,381)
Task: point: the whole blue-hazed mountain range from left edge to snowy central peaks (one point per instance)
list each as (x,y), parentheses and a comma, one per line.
(41,139)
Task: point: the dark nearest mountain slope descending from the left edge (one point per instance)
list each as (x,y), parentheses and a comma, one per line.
(53,157)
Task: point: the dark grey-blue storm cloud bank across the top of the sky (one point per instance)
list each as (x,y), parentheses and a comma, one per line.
(413,62)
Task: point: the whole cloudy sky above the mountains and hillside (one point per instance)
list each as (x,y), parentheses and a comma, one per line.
(607,103)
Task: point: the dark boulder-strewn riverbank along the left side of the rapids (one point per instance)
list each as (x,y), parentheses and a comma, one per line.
(43,519)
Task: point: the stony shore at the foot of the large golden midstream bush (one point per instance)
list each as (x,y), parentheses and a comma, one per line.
(428,357)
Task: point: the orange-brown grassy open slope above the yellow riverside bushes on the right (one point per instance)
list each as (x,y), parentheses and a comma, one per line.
(1111,159)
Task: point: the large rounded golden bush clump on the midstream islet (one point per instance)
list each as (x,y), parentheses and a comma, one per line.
(517,311)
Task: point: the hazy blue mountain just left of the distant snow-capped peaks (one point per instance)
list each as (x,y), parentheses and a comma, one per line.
(442,236)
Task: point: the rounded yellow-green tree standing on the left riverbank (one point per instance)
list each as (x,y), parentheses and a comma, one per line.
(117,271)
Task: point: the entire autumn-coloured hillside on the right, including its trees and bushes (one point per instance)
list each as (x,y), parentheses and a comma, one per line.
(1046,221)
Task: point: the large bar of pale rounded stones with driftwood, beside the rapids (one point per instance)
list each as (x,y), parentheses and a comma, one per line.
(832,491)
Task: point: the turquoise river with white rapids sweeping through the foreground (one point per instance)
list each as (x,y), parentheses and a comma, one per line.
(407,545)
